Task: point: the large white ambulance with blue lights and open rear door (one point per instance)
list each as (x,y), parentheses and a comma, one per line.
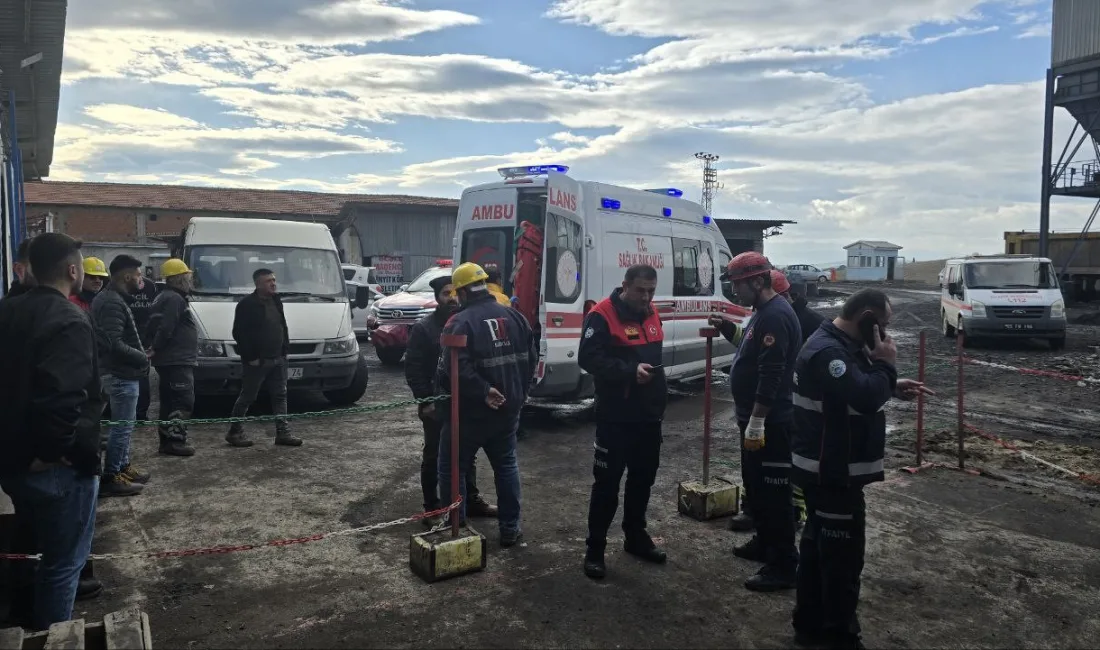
(563,246)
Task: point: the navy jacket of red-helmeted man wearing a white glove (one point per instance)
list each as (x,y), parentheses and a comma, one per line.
(764,369)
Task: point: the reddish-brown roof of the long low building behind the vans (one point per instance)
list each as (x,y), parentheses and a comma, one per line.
(213,200)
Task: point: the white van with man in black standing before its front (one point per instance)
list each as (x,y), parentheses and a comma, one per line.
(224,254)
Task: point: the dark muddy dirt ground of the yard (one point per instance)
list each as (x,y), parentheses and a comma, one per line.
(954,560)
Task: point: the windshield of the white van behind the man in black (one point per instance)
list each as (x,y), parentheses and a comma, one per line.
(227,270)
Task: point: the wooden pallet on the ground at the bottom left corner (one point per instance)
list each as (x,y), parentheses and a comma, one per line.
(127,630)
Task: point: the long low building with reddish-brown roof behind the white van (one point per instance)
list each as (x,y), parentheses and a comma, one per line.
(144,221)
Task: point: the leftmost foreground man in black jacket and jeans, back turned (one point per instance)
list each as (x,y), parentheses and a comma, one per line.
(50,399)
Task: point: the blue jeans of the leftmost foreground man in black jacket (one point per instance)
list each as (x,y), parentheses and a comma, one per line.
(60,506)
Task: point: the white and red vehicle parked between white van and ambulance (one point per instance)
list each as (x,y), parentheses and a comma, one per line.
(392,317)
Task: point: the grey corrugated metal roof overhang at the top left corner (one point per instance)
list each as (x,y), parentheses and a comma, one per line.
(28,29)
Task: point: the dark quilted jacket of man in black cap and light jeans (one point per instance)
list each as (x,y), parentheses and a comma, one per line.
(122,354)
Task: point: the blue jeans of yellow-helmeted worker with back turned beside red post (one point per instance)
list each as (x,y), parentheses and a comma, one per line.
(500,446)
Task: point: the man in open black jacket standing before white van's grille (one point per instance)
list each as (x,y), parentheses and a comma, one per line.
(263,344)
